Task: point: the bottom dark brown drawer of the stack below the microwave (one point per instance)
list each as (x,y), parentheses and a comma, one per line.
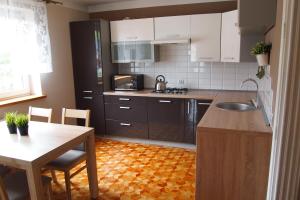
(127,129)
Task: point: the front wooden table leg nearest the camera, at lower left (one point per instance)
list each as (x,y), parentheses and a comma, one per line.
(35,184)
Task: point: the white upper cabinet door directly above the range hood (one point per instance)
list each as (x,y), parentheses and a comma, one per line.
(176,27)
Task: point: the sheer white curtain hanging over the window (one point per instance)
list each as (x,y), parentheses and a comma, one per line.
(24,37)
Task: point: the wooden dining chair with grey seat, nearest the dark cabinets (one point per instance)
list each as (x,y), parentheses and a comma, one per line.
(74,157)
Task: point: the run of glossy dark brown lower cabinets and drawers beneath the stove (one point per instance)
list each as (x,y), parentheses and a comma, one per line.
(165,119)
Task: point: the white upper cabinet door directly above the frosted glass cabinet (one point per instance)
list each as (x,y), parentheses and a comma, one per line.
(132,30)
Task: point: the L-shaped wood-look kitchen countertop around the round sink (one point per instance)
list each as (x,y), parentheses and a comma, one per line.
(216,118)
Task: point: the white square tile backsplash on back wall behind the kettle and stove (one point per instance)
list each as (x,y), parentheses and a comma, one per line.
(175,65)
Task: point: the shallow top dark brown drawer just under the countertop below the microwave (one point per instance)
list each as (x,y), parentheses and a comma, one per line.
(125,100)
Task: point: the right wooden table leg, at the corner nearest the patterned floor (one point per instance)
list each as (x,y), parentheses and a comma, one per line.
(92,166)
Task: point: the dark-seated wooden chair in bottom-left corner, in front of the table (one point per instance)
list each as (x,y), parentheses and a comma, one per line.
(14,186)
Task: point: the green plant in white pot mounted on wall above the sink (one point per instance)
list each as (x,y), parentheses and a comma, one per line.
(261,51)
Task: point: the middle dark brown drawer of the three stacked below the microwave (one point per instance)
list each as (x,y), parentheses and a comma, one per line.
(135,113)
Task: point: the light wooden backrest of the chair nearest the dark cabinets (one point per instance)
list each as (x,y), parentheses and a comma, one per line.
(78,114)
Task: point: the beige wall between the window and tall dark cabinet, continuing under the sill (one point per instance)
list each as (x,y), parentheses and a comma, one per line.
(58,85)
